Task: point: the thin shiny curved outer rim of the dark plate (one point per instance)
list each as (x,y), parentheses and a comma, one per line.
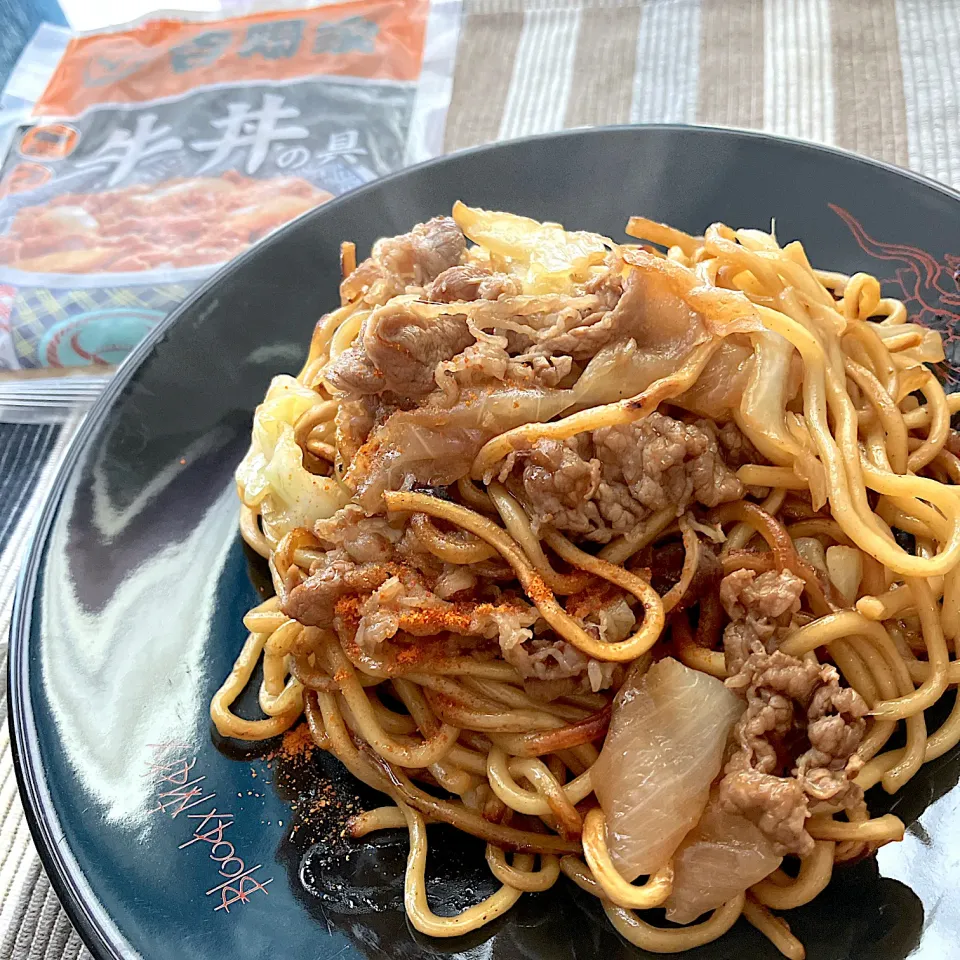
(105,940)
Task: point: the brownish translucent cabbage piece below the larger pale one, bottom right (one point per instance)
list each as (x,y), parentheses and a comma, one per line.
(721,857)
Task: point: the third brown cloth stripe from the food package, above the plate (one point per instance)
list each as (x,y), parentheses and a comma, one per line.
(731,63)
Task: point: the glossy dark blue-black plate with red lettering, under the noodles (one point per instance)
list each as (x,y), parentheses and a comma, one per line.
(129,613)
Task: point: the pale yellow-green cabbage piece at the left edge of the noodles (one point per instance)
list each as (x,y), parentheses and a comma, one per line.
(272,477)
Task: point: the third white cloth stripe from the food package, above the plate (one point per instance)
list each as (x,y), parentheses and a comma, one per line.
(798,69)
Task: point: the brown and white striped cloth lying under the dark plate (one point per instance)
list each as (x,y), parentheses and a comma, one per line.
(881,77)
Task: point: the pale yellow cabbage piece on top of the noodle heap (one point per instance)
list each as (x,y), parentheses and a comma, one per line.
(543,256)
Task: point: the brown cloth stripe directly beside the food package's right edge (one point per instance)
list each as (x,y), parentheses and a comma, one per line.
(485,56)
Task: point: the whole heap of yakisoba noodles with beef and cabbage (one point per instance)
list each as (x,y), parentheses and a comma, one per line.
(489,663)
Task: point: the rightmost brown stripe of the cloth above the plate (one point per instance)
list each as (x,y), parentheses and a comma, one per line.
(870,115)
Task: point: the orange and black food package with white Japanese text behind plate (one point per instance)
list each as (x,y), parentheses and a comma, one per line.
(160,151)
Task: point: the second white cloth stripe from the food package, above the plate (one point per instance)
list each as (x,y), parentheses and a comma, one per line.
(668,62)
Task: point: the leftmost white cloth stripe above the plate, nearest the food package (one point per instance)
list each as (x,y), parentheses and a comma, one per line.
(542,72)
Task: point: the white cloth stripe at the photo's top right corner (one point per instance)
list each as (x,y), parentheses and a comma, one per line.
(929,44)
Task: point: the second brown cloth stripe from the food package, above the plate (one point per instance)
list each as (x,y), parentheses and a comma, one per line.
(603,67)
